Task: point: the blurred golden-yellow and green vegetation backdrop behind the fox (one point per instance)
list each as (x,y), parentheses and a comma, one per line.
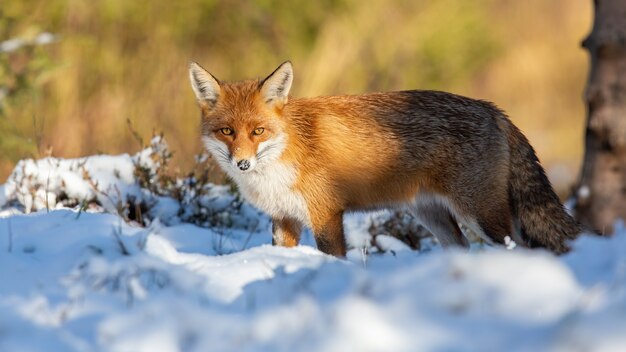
(113,61)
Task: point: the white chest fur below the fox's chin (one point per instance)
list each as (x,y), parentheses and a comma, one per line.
(270,189)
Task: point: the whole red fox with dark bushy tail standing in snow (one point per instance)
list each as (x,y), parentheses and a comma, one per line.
(448,159)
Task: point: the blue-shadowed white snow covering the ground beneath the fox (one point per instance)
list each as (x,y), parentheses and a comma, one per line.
(82,279)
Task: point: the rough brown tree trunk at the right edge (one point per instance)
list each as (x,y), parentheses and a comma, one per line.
(601,192)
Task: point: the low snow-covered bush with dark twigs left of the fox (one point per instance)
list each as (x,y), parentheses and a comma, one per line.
(139,188)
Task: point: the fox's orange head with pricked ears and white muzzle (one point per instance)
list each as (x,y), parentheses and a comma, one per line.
(241,121)
